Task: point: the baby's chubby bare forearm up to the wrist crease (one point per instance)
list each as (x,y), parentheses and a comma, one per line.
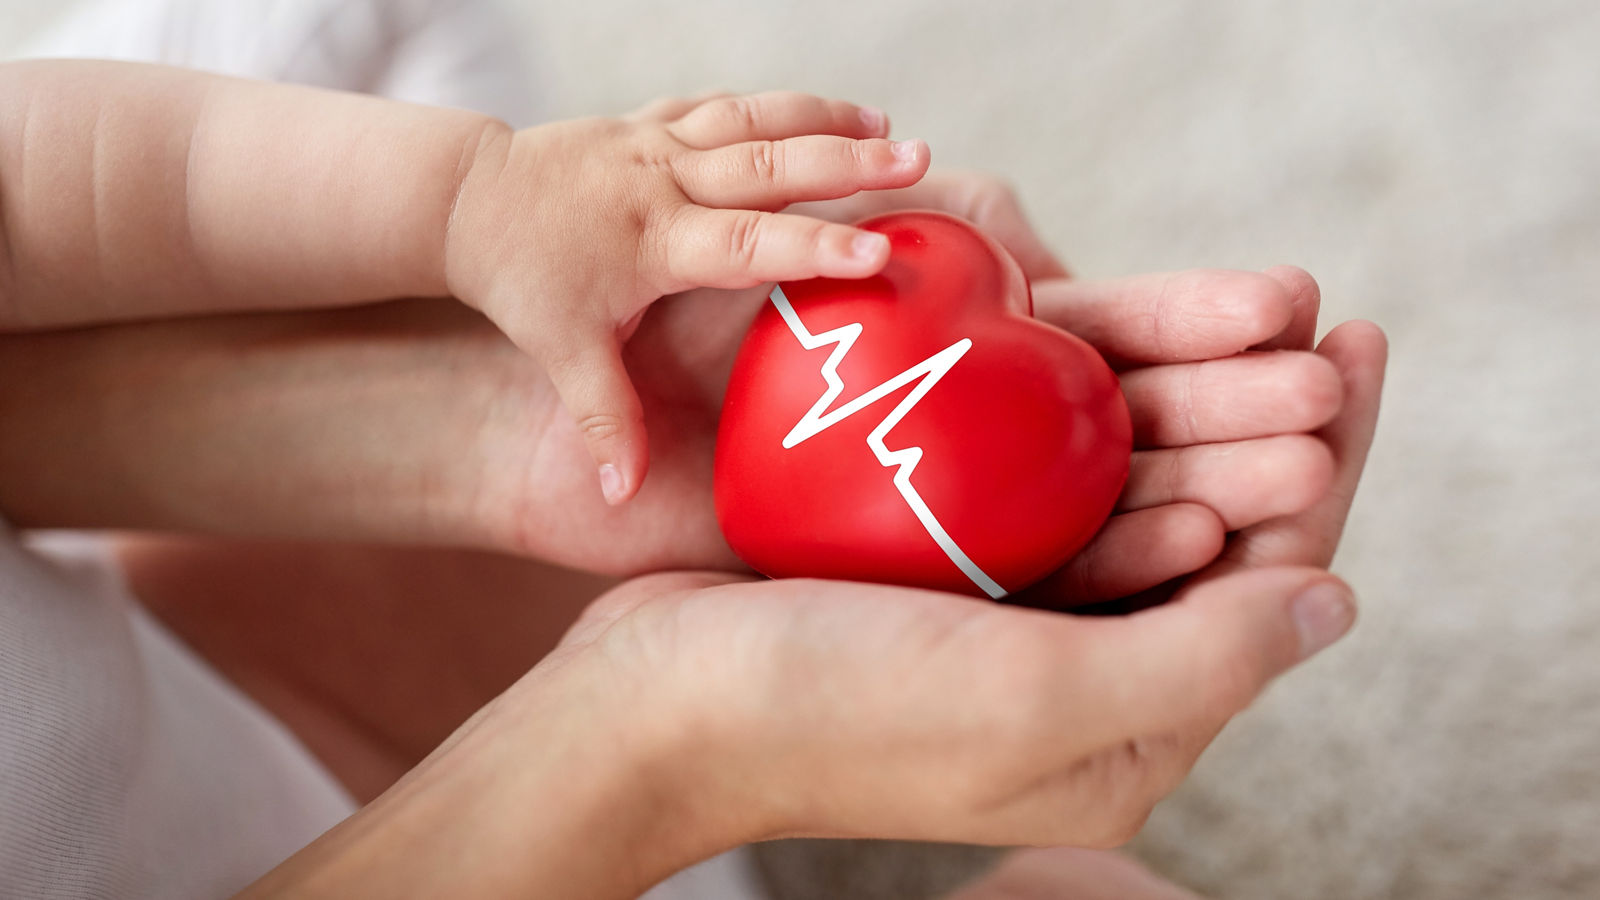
(134,191)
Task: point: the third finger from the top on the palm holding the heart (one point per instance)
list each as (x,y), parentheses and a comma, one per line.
(1244,483)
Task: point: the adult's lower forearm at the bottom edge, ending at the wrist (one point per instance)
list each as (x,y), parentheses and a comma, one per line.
(554,790)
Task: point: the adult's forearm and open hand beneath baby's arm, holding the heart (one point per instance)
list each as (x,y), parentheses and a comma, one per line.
(417,422)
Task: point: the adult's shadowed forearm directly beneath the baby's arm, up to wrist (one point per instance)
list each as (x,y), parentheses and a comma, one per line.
(262,427)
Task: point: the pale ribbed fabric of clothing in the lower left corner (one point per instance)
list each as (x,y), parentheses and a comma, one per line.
(127,766)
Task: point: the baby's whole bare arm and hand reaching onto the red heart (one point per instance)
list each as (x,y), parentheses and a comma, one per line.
(137,191)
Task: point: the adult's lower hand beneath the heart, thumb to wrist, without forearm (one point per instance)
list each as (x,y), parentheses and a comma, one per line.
(852,710)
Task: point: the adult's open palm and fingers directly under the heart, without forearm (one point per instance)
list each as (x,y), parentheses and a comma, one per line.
(1225,436)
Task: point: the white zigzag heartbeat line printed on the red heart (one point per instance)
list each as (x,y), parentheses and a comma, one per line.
(905,462)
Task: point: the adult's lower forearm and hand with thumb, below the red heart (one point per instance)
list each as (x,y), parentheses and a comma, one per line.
(690,713)
